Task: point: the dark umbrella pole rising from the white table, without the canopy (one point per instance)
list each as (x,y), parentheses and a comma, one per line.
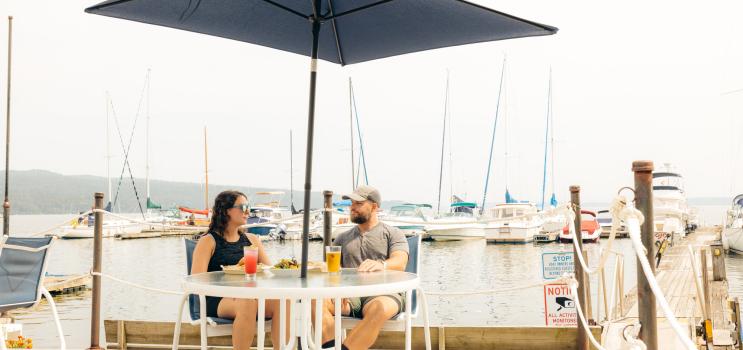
(310,136)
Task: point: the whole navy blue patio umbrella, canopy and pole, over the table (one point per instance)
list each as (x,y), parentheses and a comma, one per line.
(337,31)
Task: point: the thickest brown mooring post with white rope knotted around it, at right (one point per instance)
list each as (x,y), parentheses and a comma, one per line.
(643,170)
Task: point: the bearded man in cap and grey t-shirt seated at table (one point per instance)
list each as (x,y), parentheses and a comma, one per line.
(370,246)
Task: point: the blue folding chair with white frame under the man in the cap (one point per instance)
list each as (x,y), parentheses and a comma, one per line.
(400,322)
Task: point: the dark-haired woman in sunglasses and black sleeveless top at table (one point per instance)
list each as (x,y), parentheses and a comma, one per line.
(223,245)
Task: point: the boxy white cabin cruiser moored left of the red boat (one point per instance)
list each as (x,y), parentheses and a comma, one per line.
(511,223)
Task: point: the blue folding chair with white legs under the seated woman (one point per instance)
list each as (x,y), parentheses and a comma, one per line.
(210,326)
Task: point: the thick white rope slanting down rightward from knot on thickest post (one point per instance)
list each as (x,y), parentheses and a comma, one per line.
(633,217)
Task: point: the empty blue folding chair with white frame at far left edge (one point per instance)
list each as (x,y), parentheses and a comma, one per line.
(22,269)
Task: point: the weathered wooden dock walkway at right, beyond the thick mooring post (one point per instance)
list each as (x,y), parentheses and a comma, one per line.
(675,275)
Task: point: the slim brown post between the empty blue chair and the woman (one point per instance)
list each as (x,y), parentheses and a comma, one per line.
(95,319)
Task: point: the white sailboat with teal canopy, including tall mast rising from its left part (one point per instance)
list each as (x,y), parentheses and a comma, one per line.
(460,222)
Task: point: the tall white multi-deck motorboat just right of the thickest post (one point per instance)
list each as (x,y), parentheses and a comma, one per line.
(670,211)
